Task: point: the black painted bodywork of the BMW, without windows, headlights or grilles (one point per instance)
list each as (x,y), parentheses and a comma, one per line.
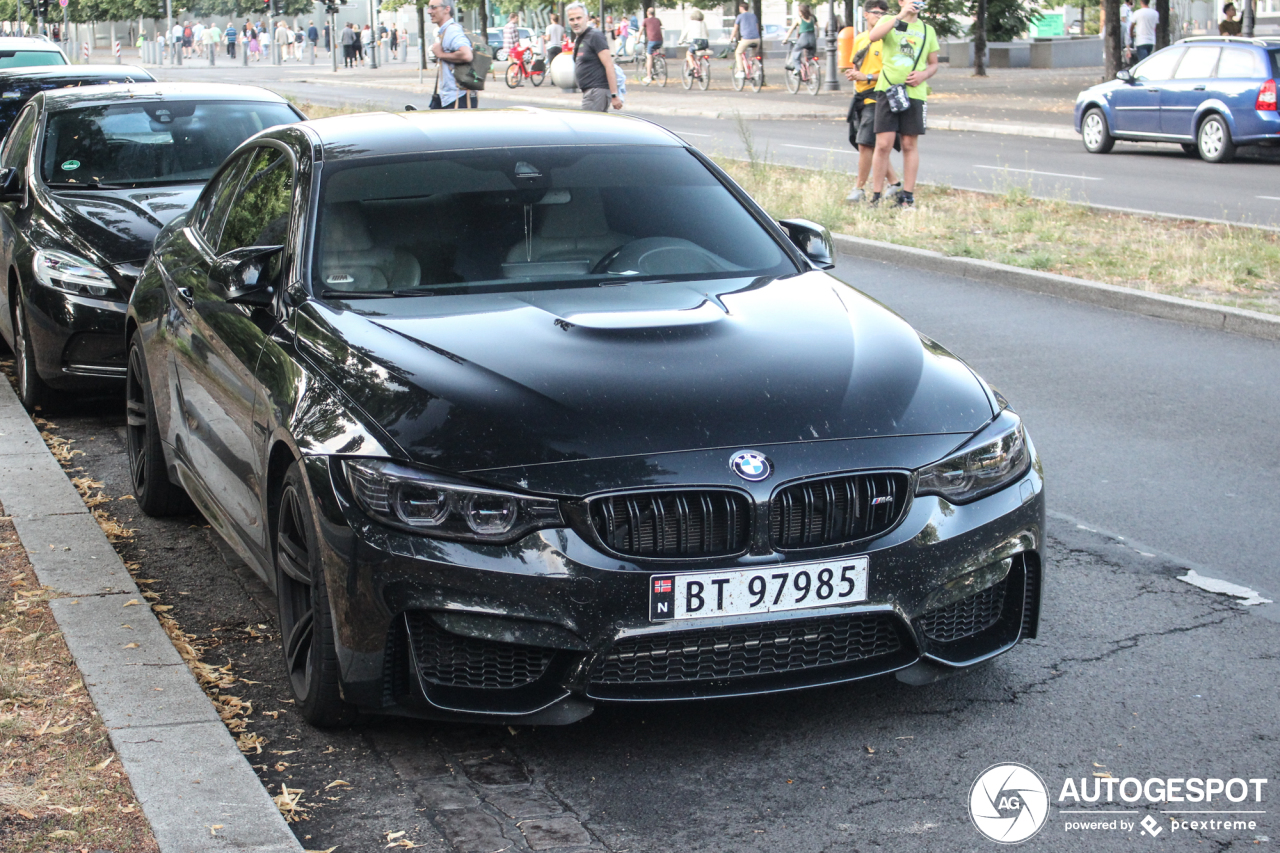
(541,394)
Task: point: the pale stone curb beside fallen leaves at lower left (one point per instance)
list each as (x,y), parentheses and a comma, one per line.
(186,770)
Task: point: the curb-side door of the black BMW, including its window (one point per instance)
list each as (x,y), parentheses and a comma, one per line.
(225,341)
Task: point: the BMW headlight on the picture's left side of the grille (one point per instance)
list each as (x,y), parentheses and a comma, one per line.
(431,505)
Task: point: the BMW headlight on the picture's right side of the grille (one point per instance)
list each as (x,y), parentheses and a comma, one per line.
(998,457)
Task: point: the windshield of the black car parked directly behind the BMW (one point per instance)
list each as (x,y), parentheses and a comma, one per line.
(130,145)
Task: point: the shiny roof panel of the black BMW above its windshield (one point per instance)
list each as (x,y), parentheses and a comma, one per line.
(345,138)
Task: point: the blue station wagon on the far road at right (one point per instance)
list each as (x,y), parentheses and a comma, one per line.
(1212,94)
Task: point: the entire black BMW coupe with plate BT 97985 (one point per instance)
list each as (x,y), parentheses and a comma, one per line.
(525,410)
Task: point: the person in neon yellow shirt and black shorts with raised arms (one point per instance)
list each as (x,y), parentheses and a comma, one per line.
(907,40)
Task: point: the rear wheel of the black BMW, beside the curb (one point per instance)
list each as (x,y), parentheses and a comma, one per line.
(157,495)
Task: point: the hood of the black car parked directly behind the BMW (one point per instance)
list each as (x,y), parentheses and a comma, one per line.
(122,225)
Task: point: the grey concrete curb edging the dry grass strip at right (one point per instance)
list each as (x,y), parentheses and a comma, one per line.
(1122,299)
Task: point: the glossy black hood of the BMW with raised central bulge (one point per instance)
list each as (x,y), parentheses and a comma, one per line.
(478,382)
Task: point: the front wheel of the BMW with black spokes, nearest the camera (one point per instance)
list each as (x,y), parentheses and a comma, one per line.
(307,624)
